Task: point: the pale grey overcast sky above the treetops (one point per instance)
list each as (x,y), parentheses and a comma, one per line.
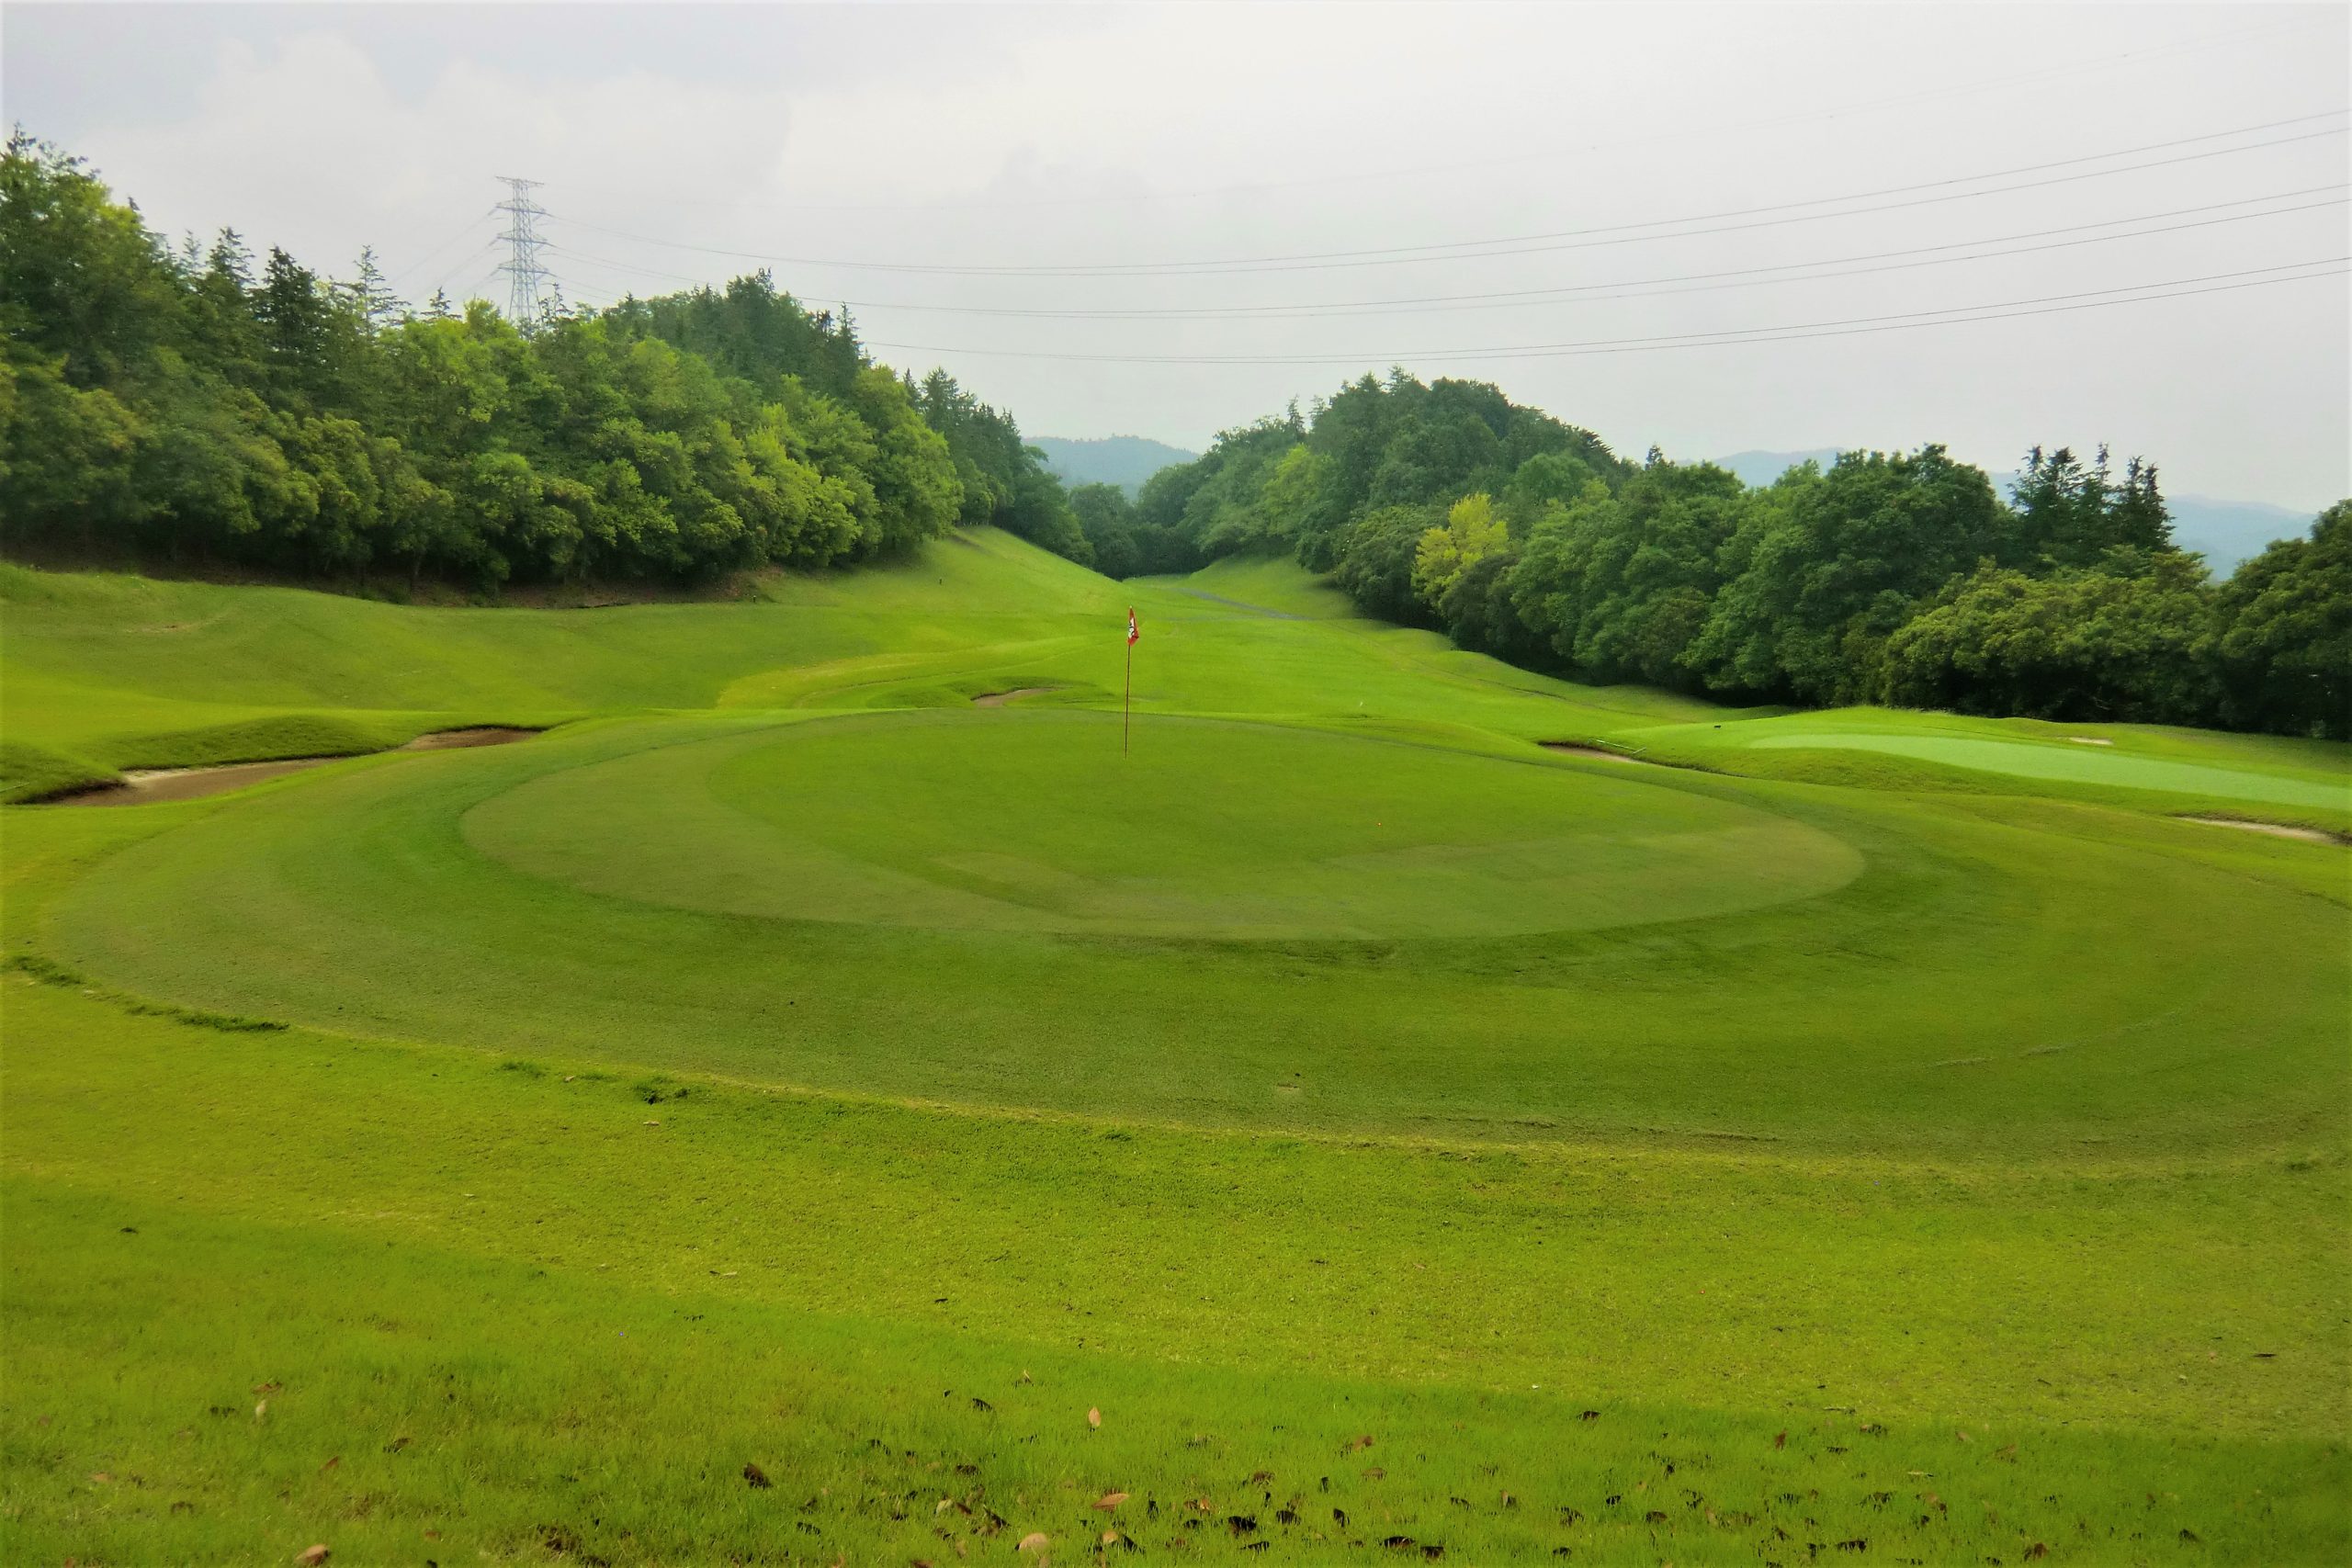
(1267,201)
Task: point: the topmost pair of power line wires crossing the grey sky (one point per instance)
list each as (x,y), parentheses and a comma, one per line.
(1582,239)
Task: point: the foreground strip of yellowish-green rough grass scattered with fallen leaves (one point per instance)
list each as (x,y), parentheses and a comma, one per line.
(505,1268)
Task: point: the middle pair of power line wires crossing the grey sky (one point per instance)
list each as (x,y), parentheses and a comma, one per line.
(1735,279)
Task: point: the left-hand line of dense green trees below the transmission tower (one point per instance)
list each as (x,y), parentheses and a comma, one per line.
(199,403)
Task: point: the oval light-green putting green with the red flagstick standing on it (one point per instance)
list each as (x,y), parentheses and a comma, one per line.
(1210,829)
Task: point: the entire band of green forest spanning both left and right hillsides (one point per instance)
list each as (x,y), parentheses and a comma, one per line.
(189,403)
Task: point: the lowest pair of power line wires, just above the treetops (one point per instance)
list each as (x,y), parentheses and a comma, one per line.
(2050,304)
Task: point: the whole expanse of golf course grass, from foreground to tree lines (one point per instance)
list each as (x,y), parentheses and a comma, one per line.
(787,1054)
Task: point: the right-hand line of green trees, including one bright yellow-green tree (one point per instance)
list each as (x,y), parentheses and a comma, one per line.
(1883,579)
